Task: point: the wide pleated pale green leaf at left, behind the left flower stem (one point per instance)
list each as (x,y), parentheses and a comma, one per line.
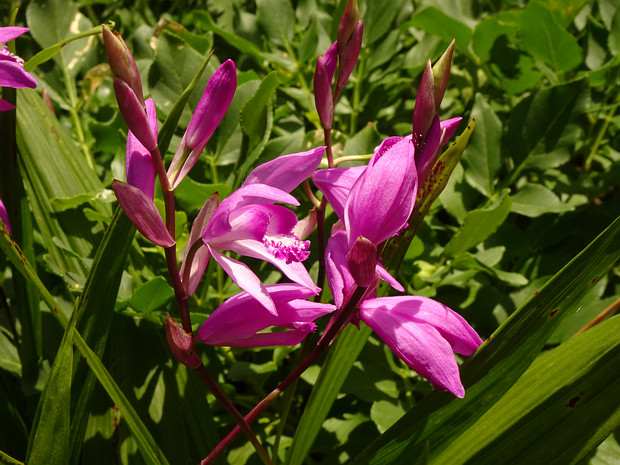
(54,168)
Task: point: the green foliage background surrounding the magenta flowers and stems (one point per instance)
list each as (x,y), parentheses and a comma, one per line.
(512,243)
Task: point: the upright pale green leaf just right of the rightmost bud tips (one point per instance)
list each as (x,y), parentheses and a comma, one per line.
(482,160)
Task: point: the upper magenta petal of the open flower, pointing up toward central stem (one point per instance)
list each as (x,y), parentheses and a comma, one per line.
(288,171)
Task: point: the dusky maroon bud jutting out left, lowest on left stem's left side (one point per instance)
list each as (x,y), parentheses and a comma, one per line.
(143,214)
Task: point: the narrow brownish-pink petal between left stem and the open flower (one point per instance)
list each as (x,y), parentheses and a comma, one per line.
(191,278)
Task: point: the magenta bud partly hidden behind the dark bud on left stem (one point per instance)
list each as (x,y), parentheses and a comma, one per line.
(138,161)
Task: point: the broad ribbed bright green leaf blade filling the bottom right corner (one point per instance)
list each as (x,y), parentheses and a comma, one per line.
(571,393)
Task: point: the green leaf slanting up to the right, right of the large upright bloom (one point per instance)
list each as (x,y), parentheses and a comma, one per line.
(479,224)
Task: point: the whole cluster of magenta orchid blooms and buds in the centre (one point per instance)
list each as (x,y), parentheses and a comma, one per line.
(373,203)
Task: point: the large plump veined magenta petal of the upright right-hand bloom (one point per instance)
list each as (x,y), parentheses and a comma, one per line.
(382,199)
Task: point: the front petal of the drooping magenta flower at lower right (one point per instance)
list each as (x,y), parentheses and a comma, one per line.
(420,345)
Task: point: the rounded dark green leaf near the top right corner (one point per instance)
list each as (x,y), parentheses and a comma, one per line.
(546,40)
